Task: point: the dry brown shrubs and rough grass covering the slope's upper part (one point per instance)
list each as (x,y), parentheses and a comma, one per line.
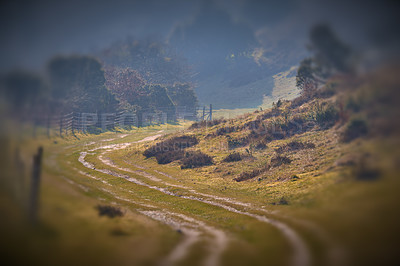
(335,108)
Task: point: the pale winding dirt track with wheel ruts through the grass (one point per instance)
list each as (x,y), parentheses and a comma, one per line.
(192,229)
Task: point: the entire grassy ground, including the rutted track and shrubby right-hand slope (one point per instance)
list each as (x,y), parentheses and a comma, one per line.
(312,181)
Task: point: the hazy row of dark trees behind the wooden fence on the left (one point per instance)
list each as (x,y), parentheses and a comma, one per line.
(128,76)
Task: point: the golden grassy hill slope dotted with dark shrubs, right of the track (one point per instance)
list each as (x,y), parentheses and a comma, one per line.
(329,159)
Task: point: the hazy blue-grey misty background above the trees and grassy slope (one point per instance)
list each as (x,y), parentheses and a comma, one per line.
(231,49)
